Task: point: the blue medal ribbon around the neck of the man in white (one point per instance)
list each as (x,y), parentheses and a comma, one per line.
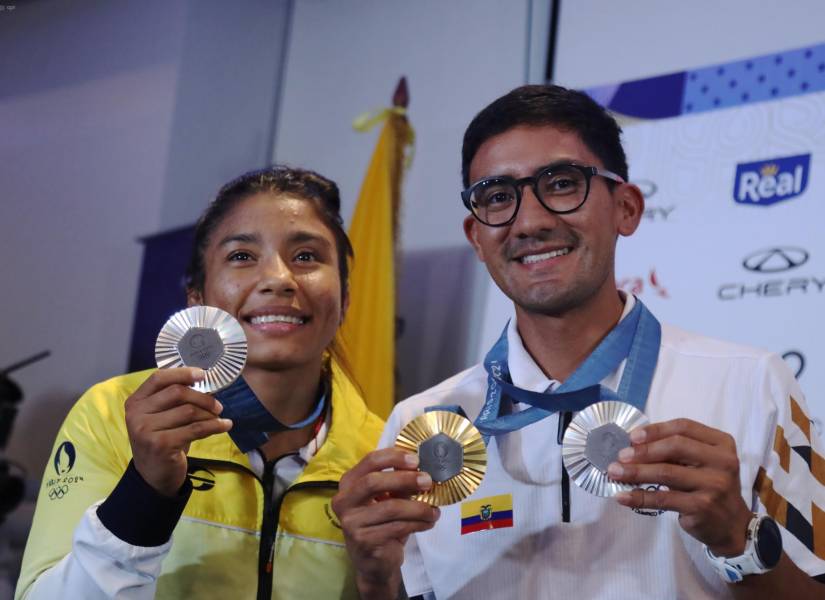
(636,338)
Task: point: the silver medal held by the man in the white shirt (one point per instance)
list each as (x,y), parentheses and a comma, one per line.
(593,441)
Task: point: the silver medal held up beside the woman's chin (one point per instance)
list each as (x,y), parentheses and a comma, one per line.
(205,337)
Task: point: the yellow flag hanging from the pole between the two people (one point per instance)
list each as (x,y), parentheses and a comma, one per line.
(368,332)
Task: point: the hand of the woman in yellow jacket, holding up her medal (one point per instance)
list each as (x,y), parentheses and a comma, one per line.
(164,416)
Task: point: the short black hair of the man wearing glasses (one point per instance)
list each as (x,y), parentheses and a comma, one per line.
(538,105)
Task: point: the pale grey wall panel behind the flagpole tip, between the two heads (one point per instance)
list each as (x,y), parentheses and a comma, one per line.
(346,57)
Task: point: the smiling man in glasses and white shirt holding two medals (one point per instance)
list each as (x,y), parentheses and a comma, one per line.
(546,183)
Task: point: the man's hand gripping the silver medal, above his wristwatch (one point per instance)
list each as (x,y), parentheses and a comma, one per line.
(700,467)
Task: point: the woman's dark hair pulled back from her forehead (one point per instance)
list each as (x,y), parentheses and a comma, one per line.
(276,179)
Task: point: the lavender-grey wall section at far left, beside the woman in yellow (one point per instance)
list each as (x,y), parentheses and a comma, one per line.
(86,112)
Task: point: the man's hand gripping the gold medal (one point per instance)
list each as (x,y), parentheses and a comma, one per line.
(377,517)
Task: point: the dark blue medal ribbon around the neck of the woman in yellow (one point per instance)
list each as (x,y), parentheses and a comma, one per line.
(251,421)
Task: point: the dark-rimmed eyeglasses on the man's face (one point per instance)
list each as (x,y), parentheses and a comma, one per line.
(561,189)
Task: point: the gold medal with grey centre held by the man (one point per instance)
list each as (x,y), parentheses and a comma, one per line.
(451,450)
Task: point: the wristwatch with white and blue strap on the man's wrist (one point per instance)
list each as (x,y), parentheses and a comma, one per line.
(763,549)
